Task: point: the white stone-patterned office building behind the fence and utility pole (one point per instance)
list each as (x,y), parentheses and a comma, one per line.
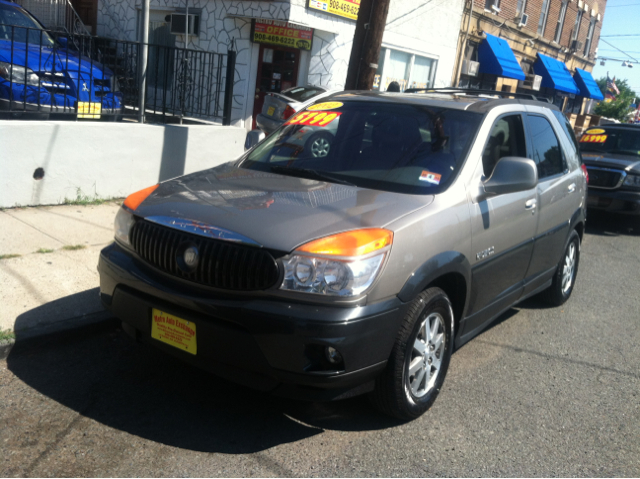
(281,44)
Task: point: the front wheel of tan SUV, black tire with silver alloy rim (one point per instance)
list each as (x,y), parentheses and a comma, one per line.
(395,390)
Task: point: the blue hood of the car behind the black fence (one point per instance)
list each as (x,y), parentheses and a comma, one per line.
(45,59)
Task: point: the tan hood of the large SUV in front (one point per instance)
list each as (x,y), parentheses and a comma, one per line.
(278,212)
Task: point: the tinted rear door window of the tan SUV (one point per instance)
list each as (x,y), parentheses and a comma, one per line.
(546,147)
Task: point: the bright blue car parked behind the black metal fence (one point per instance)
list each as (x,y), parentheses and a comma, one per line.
(46,76)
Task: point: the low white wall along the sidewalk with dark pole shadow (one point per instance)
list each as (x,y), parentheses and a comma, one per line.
(103,160)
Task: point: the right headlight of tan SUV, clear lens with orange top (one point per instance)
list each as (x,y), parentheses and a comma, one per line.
(345,264)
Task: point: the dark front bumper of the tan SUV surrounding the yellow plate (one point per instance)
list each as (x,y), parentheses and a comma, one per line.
(264,343)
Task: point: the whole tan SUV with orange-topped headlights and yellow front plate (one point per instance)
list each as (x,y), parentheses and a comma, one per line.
(359,271)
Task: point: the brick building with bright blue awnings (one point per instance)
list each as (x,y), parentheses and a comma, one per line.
(548,38)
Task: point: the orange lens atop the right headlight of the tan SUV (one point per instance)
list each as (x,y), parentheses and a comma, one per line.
(350,243)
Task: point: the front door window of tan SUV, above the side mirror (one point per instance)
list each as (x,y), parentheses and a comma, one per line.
(506,139)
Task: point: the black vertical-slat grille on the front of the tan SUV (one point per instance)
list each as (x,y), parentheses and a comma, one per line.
(221,264)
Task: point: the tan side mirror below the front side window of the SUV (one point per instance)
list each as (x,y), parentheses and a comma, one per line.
(510,175)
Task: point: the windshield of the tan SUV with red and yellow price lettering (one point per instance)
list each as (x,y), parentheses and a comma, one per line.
(402,148)
